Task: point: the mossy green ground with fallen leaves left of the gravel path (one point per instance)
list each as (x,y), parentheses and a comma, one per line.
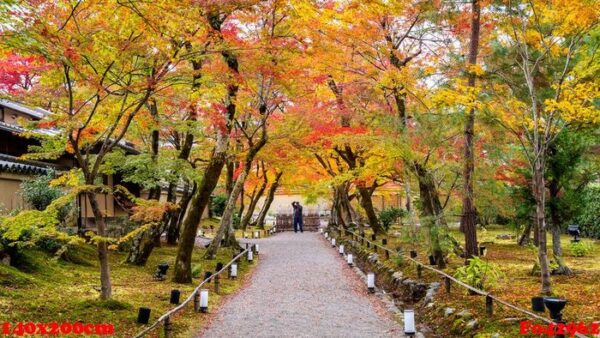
(58,291)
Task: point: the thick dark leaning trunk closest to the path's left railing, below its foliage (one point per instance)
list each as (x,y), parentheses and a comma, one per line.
(183,263)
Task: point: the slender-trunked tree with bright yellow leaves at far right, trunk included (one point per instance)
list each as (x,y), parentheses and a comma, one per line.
(549,89)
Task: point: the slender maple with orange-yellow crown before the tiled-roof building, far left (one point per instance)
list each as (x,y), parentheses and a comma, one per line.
(101,71)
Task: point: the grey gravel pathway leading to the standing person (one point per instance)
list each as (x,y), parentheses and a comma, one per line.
(302,288)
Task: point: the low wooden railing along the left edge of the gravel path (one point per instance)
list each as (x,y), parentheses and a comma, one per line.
(165,319)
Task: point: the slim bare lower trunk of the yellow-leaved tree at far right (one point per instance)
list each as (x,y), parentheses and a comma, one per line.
(540,221)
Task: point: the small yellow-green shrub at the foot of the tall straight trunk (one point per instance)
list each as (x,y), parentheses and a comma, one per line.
(479,273)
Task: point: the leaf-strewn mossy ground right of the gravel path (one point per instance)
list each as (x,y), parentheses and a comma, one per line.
(516,287)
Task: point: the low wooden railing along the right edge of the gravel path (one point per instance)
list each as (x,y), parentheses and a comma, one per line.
(448,279)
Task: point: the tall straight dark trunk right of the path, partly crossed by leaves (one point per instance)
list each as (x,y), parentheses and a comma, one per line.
(468,222)
